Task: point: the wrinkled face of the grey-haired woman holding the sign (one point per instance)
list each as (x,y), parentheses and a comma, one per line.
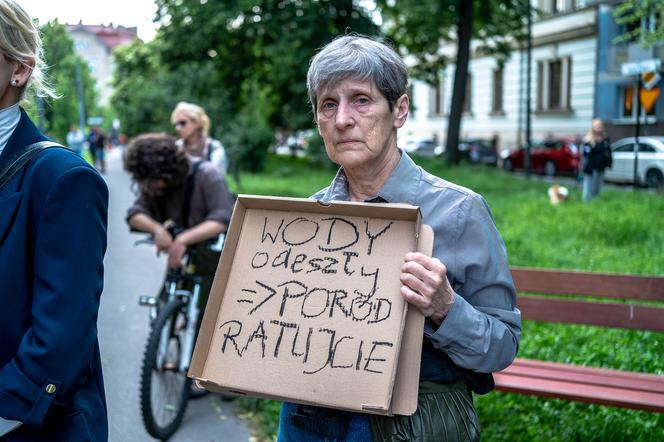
(356,123)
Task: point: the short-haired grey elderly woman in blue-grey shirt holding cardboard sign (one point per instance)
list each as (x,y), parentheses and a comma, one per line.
(357,87)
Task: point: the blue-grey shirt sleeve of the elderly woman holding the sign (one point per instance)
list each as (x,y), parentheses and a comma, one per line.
(483,328)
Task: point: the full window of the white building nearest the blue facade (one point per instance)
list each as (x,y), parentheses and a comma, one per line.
(554,85)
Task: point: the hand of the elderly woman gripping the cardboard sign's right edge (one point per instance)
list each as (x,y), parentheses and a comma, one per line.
(425,286)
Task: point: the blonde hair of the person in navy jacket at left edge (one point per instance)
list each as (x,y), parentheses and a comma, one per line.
(20,41)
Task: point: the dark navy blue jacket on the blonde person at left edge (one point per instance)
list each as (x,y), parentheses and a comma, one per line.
(53,218)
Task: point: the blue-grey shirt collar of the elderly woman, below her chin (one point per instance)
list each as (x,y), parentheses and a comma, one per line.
(400,187)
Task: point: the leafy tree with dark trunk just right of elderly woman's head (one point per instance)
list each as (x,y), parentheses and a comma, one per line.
(422,27)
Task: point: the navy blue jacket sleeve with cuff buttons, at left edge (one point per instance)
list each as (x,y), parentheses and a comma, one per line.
(56,351)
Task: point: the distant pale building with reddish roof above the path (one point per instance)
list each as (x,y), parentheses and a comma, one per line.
(95,44)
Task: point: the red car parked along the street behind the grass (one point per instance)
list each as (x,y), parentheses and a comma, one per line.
(549,157)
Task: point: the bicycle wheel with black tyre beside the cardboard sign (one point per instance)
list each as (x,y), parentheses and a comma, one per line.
(164,389)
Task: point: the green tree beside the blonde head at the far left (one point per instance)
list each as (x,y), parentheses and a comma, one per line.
(63,64)
